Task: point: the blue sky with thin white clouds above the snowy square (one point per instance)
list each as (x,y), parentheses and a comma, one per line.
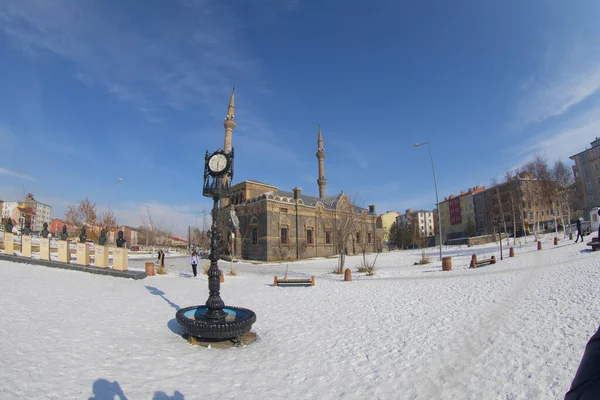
(94,91)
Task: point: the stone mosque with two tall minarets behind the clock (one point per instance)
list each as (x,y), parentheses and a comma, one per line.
(280,225)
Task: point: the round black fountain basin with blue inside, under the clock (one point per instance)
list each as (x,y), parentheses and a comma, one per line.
(195,323)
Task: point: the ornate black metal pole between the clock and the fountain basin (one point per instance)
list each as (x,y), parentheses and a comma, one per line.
(214,303)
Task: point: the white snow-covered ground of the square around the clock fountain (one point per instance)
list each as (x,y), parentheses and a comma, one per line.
(514,330)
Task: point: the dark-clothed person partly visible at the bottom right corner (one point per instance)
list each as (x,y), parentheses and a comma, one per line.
(586,384)
